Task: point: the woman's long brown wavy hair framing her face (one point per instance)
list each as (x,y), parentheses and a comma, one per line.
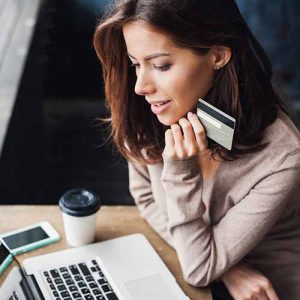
(242,88)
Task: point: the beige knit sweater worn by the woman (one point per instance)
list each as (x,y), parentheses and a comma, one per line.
(249,210)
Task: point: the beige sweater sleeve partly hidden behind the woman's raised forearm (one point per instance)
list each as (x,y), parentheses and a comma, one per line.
(141,191)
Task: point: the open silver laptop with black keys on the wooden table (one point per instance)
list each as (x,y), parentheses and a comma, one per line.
(125,268)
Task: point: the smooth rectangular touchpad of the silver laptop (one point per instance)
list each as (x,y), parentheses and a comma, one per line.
(149,288)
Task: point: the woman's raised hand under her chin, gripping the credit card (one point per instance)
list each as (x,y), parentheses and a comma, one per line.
(193,140)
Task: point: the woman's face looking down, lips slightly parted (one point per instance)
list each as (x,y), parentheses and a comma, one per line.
(171,78)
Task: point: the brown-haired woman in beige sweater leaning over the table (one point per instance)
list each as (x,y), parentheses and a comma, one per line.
(232,216)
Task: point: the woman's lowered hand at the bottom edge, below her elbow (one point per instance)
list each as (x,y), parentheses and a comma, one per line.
(245,283)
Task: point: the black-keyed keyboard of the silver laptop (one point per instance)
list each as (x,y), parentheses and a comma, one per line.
(82,281)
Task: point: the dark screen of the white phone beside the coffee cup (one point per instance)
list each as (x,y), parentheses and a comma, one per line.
(25,237)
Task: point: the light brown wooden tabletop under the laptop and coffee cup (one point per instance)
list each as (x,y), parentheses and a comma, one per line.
(112,221)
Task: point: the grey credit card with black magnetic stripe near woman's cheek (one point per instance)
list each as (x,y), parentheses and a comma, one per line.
(218,125)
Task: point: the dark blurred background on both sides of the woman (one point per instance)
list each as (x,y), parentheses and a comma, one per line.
(55,140)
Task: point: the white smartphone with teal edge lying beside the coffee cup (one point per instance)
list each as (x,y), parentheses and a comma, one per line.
(29,238)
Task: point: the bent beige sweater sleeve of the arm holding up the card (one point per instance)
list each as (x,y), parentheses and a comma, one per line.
(206,252)
